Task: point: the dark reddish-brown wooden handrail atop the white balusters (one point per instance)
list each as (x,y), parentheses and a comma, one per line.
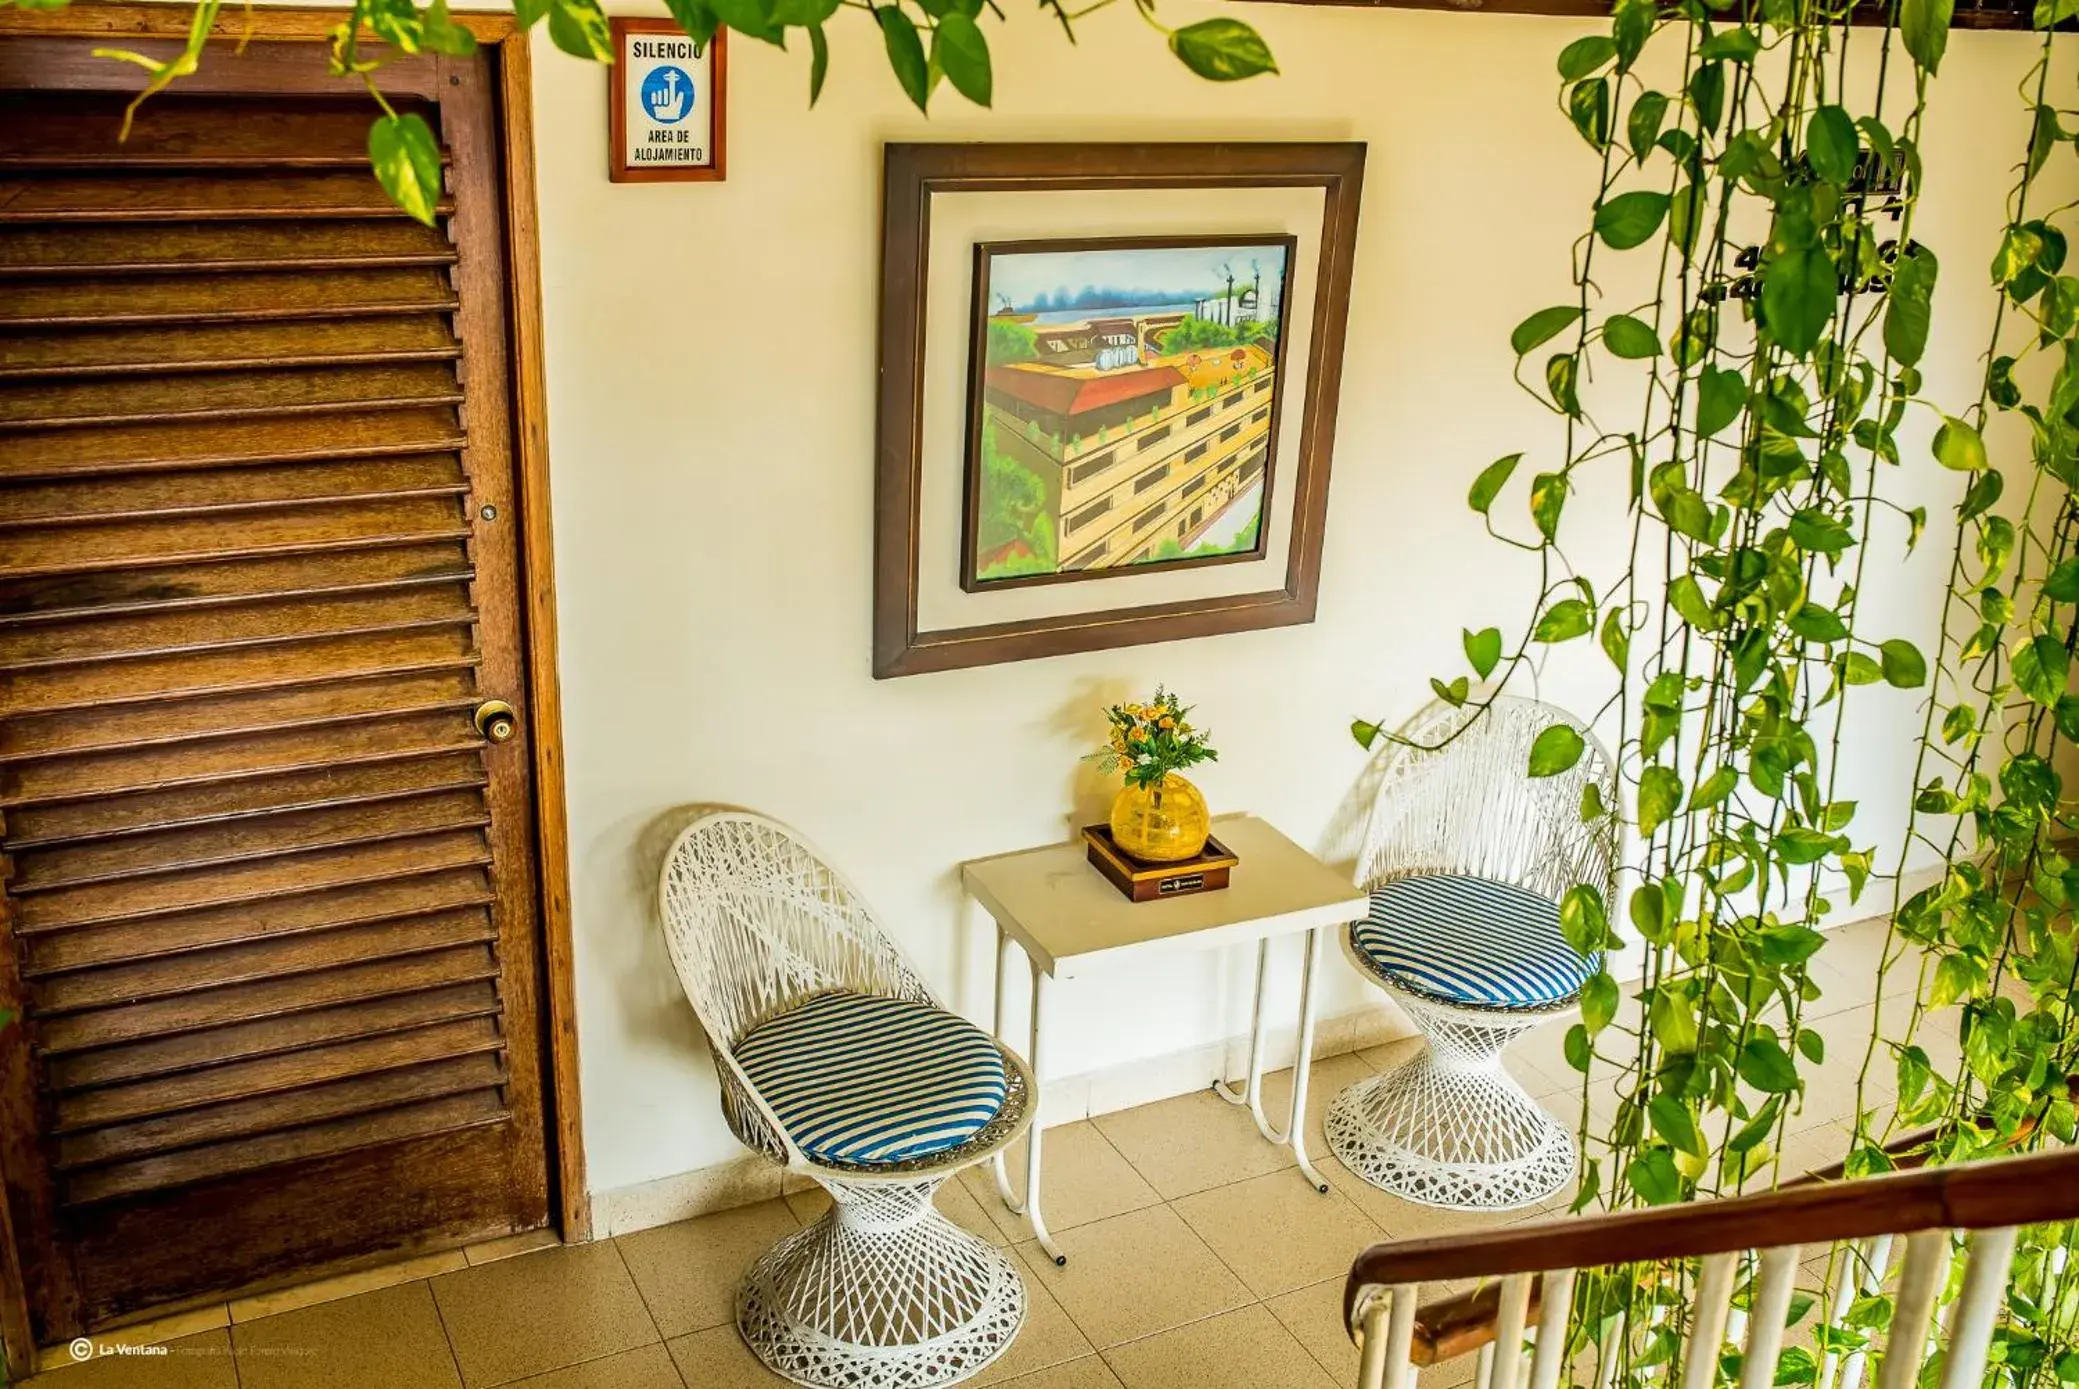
(1972,1197)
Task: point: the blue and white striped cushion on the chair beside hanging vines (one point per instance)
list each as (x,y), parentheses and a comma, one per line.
(1471,941)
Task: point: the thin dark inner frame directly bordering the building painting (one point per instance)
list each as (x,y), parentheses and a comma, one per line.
(978,369)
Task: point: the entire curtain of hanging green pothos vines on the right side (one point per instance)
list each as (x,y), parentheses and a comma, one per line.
(1756,396)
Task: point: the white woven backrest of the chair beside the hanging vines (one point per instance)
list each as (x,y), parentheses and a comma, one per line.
(1473,806)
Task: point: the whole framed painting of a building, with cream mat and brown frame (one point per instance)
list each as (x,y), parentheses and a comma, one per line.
(1107,394)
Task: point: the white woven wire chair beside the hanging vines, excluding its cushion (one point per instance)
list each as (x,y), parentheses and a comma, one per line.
(1452,1128)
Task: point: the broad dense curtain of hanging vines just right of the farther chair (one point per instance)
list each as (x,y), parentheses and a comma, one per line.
(1754,400)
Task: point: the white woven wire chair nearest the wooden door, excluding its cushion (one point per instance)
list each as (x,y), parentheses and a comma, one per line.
(883,1292)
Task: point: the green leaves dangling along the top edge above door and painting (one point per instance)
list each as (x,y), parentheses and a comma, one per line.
(928,45)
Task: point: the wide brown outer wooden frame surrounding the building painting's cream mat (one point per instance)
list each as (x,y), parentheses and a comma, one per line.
(920,172)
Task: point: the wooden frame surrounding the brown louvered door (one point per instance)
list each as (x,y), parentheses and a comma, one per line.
(537,556)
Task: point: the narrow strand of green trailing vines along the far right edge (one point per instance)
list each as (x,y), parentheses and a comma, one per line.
(1995,937)
